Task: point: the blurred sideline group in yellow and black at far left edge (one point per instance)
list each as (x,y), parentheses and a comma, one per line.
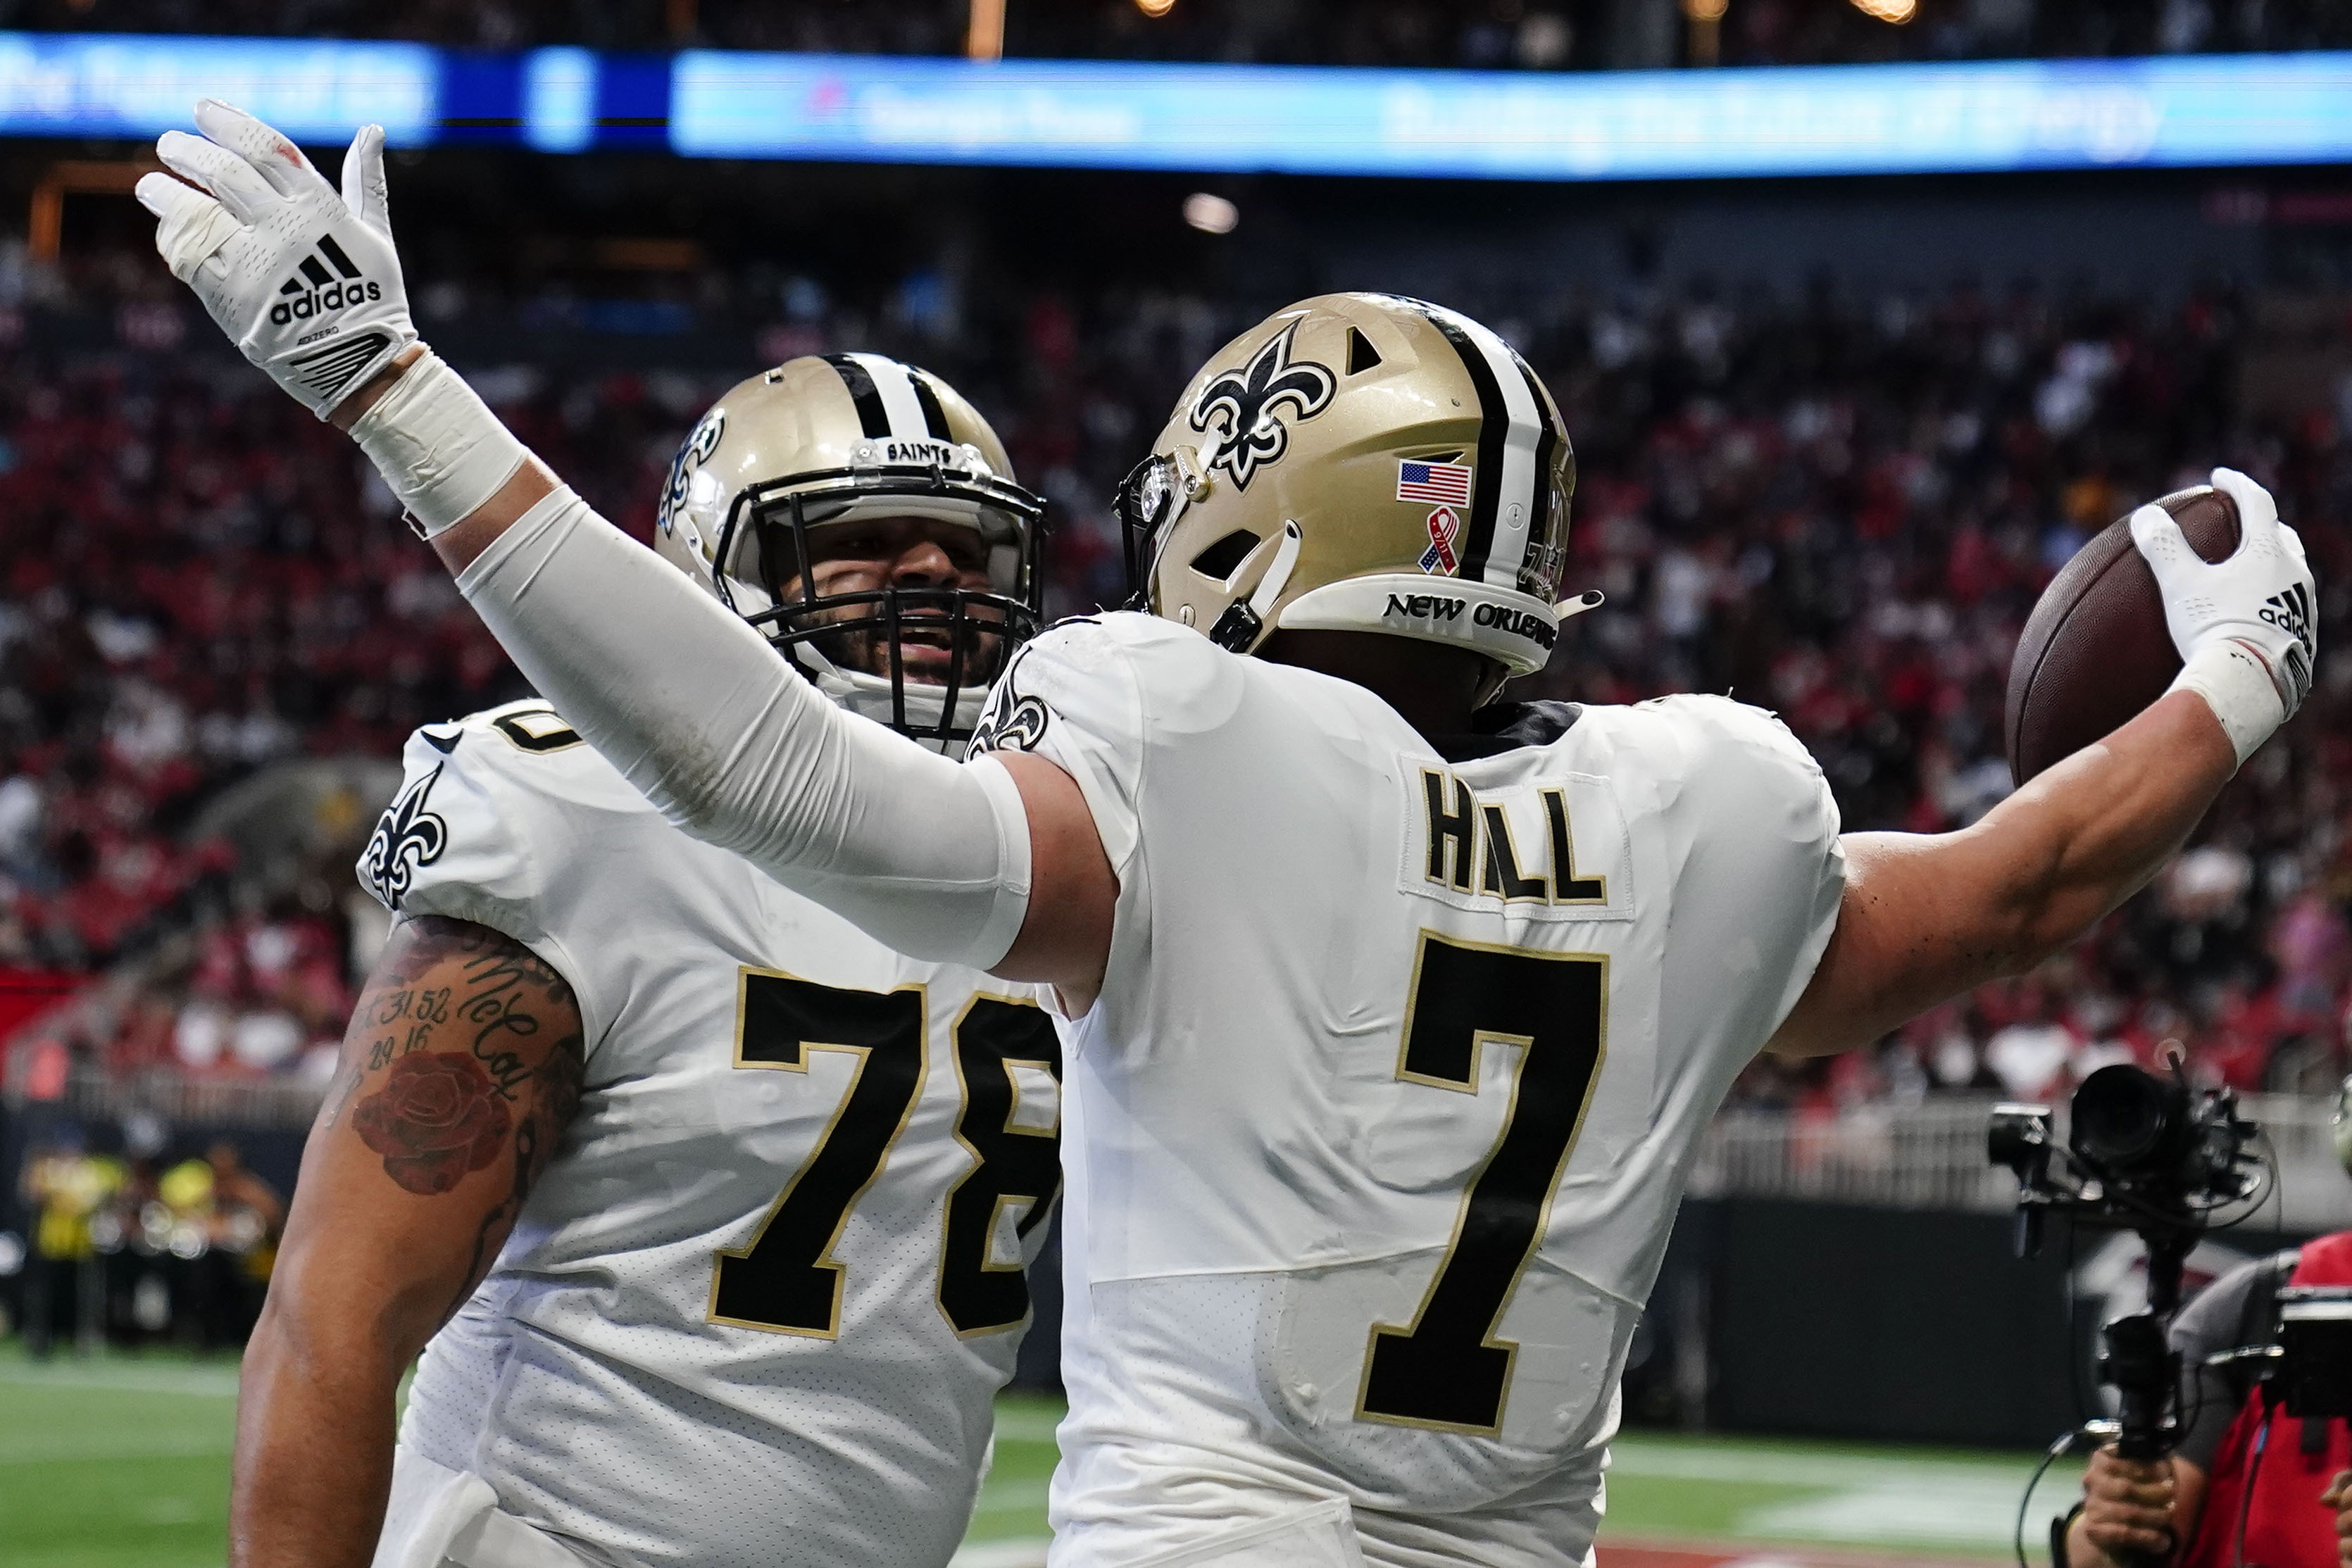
(133,1245)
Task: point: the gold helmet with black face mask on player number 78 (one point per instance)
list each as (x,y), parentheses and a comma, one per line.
(820,443)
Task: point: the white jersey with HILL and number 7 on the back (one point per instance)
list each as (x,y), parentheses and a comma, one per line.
(1398,1071)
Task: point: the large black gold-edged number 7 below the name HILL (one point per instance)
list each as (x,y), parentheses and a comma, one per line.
(1448,1367)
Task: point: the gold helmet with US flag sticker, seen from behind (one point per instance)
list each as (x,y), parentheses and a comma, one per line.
(1368,464)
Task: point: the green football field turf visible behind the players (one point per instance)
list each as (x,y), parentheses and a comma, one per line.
(123,1463)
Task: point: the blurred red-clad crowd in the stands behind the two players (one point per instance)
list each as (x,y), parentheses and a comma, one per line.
(1831,504)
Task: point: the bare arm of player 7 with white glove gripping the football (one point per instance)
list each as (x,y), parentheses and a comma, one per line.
(1932,916)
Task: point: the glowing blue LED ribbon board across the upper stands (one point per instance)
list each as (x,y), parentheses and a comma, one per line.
(1989,116)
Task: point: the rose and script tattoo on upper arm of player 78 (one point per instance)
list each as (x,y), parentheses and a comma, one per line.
(465,1054)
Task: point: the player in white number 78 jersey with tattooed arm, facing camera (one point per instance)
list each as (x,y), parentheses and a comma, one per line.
(766,1191)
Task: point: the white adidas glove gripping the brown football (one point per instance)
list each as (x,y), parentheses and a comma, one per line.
(2247,626)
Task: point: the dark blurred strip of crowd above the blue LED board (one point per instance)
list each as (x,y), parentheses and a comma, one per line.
(1462,34)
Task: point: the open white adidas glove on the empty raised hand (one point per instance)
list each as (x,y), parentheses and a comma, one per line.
(305,281)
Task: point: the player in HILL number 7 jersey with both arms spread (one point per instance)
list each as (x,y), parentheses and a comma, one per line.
(1391,1014)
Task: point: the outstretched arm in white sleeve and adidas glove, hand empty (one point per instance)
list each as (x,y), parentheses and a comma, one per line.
(996,866)
